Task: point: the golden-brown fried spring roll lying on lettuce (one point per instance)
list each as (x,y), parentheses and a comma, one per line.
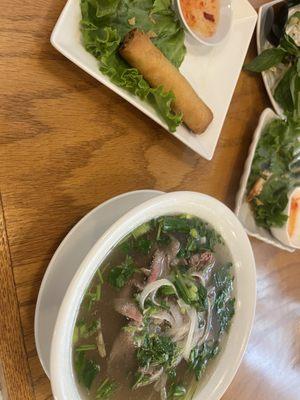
(139,51)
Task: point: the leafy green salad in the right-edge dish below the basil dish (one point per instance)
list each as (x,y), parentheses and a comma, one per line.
(274,153)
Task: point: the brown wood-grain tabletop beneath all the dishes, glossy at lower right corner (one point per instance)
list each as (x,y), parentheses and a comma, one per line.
(67,144)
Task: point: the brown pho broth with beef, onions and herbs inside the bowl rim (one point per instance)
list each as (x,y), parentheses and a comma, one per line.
(154,313)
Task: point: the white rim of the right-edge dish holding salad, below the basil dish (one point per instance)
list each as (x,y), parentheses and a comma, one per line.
(243,210)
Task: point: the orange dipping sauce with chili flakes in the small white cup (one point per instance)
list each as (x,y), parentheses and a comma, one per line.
(202,16)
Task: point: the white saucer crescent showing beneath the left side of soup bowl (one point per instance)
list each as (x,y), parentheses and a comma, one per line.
(71,252)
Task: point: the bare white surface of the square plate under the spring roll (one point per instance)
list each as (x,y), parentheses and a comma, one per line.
(213,72)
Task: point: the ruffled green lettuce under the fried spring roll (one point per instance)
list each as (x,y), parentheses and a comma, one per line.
(104,25)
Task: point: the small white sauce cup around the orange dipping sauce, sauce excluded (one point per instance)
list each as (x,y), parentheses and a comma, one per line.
(223,27)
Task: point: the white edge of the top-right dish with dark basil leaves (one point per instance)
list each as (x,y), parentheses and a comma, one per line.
(261,40)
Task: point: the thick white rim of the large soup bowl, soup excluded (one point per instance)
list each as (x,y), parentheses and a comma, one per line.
(224,221)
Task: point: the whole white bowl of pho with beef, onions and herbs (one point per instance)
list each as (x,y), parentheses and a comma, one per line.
(161,307)
